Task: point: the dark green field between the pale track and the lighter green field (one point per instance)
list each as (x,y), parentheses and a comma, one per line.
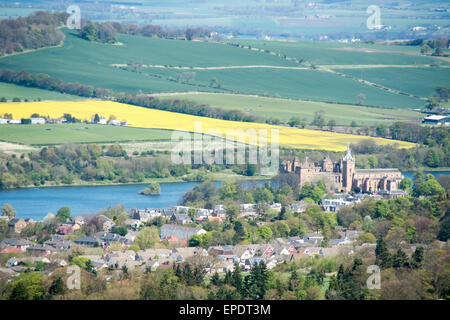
(297,84)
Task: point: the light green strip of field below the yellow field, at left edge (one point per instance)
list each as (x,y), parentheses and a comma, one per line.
(77,133)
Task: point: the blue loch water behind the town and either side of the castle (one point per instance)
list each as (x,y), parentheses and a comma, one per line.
(36,203)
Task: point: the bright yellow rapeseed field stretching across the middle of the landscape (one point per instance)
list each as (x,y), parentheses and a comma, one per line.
(150,118)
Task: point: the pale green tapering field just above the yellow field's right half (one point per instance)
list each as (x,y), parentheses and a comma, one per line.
(285,109)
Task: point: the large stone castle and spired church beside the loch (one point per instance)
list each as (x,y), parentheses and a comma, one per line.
(343,176)
